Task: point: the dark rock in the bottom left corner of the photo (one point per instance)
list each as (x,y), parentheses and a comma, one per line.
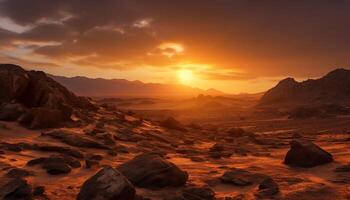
(15,188)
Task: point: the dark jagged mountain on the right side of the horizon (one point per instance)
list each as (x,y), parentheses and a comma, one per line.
(331,88)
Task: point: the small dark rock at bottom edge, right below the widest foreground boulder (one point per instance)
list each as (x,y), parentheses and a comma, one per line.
(198,193)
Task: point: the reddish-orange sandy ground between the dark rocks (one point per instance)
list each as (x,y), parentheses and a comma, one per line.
(330,134)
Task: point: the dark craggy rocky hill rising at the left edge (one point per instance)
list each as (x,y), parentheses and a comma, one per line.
(34,99)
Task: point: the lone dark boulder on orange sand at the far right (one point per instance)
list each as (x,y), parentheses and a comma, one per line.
(304,153)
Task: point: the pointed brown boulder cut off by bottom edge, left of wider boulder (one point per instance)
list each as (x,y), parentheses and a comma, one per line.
(107,184)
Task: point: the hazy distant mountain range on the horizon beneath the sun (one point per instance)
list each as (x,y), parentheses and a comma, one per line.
(121,88)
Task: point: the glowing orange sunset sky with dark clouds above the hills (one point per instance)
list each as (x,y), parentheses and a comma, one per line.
(231,45)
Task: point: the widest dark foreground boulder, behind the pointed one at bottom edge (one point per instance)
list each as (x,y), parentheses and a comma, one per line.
(152,171)
